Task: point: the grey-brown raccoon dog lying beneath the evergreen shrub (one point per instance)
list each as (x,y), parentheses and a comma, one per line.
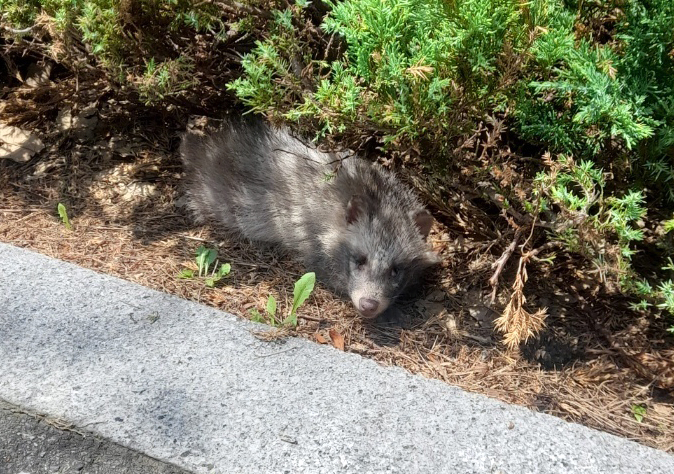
(361,230)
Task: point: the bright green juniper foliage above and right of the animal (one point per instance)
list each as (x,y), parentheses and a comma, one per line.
(424,72)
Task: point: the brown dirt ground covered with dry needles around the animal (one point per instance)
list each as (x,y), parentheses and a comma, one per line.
(113,164)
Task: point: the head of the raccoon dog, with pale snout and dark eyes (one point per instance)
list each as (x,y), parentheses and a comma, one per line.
(387,251)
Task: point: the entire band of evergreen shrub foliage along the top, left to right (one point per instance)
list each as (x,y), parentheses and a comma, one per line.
(585,87)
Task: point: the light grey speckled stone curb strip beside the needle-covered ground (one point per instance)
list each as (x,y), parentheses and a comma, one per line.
(189,385)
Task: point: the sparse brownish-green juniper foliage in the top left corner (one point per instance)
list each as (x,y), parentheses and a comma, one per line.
(141,44)
